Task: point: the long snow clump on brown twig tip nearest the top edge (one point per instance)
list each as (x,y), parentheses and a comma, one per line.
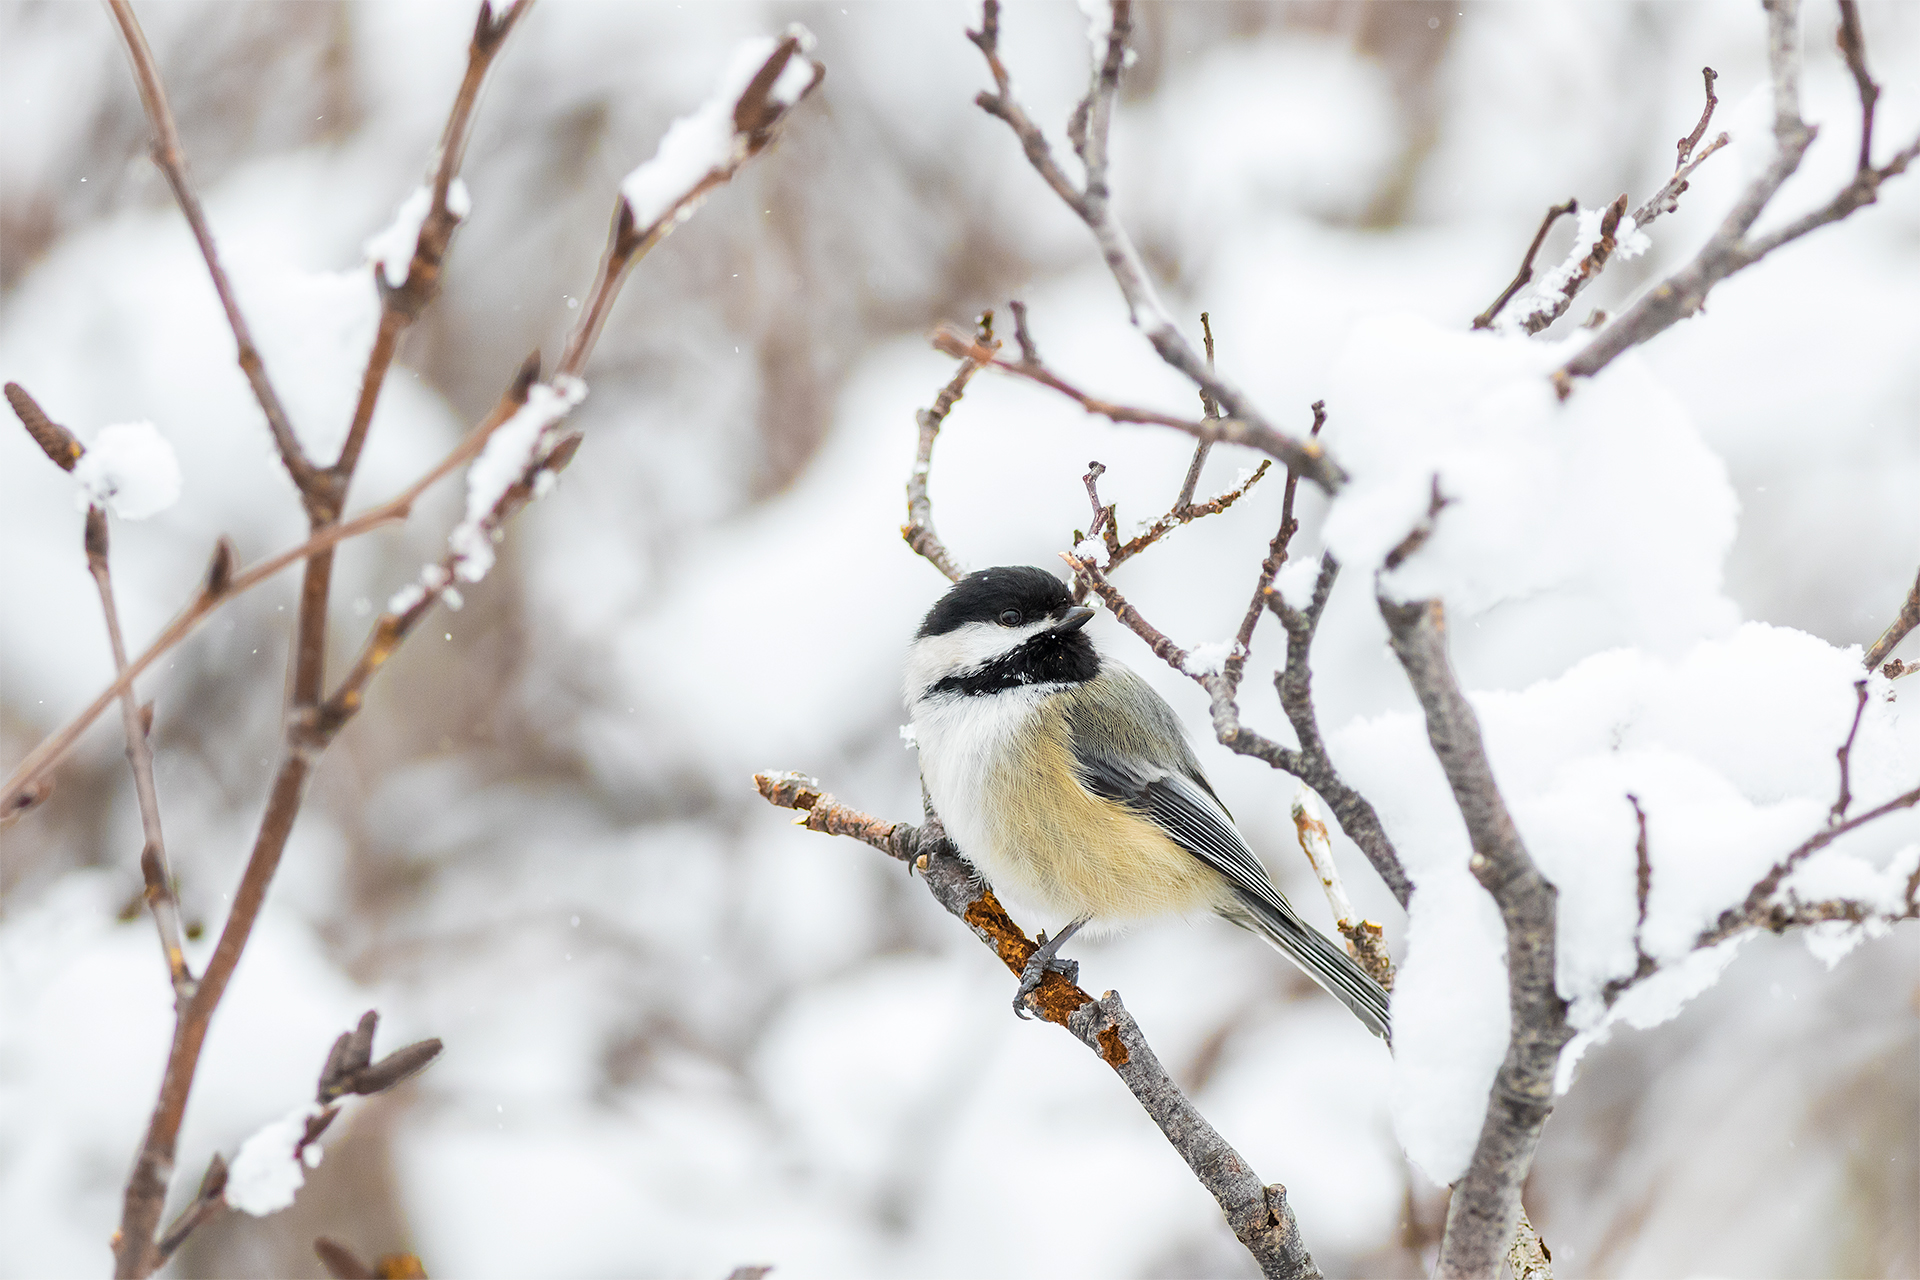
(706,143)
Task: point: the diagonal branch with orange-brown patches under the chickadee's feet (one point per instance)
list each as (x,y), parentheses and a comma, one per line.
(1259,1216)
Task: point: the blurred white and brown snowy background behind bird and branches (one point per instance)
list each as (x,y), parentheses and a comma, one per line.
(684,1035)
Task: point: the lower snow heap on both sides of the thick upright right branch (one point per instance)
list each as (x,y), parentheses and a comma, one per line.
(1731,753)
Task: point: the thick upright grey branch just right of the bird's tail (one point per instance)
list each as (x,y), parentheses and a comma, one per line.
(1487,1200)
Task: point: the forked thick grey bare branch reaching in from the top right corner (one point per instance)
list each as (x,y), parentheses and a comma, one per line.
(1731,249)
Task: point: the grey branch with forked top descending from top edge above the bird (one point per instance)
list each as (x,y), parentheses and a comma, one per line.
(1092,204)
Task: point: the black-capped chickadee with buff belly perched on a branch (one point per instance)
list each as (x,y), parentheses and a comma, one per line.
(1070,786)
